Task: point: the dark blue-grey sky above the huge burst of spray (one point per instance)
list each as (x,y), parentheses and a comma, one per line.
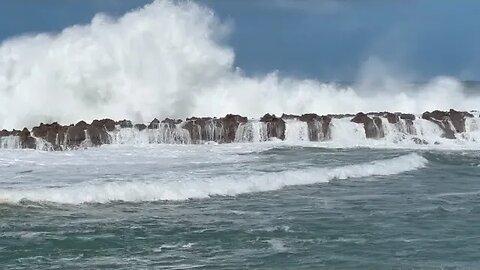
(330,40)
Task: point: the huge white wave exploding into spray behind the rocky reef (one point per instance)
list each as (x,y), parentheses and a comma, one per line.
(170,59)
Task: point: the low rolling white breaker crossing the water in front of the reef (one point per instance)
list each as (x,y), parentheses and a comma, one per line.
(136,191)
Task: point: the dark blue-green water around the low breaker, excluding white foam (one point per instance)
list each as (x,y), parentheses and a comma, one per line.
(425,218)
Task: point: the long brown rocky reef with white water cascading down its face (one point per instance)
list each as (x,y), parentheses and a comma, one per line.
(231,128)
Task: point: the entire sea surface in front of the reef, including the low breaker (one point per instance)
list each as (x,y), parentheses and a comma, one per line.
(262,206)
